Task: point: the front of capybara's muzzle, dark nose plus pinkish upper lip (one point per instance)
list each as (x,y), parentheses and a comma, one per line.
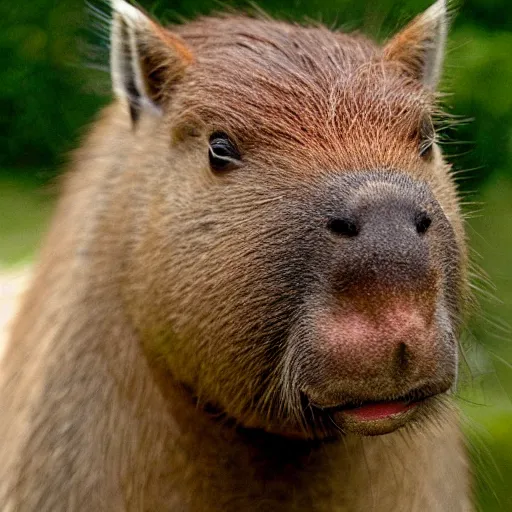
(384,244)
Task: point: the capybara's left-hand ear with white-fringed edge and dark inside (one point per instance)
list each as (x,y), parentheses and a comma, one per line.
(146,60)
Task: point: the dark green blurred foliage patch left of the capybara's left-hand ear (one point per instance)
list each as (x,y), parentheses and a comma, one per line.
(44,97)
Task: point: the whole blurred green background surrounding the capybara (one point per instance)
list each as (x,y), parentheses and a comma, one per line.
(53,81)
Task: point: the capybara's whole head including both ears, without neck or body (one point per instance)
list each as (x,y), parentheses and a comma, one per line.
(294,250)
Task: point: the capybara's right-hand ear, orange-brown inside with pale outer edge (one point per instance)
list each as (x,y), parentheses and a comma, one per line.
(419,48)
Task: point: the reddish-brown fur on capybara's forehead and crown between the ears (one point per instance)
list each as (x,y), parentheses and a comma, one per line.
(286,87)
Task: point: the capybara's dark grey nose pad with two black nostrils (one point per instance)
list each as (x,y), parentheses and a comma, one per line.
(384,228)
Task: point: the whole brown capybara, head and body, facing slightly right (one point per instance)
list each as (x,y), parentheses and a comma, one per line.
(257,268)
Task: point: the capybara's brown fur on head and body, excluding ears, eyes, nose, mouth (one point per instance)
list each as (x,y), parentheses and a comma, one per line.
(147,367)
